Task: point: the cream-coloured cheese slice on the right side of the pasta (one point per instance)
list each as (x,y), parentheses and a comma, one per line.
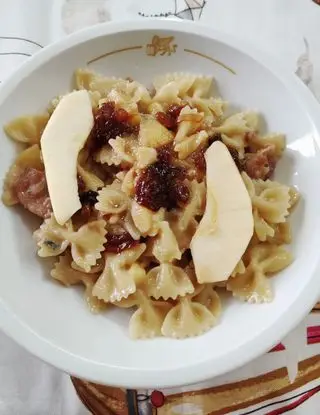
(226,228)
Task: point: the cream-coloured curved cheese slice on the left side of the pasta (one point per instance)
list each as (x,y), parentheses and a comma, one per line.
(64,136)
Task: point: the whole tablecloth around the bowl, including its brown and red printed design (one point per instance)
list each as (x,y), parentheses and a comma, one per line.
(288,29)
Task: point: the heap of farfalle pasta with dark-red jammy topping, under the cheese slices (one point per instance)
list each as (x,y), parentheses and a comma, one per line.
(143,195)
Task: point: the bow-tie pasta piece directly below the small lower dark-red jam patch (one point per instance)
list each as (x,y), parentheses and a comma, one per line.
(121,275)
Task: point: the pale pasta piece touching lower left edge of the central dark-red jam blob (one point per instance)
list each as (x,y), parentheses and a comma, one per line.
(146,220)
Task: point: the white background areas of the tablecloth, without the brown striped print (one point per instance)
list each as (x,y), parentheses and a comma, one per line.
(286,28)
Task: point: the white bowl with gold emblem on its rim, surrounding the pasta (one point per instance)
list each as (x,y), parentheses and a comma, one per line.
(52,322)
